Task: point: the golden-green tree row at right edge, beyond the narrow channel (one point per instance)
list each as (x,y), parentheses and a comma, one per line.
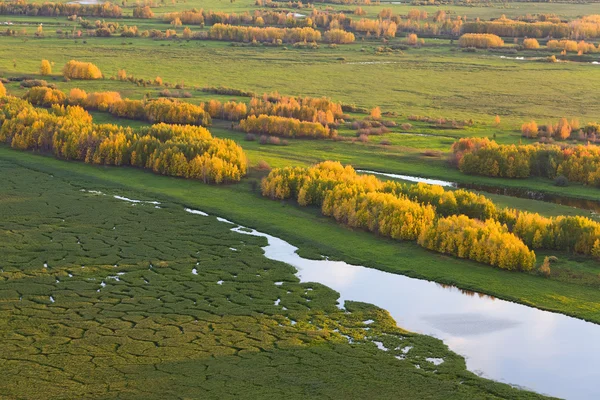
(481,156)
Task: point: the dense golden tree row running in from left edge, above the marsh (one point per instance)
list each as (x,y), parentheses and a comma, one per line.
(69,133)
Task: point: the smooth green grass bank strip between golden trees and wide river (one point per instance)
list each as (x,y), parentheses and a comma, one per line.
(572,289)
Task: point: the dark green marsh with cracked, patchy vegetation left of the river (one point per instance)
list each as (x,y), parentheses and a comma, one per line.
(103,298)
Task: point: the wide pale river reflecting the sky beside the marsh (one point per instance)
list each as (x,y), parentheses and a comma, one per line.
(546,352)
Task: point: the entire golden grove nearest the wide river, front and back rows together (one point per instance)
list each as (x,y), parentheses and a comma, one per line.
(456,222)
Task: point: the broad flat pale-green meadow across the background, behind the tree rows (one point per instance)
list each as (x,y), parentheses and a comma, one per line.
(433,81)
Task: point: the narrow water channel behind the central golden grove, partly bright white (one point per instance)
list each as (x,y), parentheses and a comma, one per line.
(590,205)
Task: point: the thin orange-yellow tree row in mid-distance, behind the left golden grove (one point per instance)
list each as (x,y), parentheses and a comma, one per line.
(281,116)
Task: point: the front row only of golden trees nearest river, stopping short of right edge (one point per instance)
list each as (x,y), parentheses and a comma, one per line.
(361,201)
